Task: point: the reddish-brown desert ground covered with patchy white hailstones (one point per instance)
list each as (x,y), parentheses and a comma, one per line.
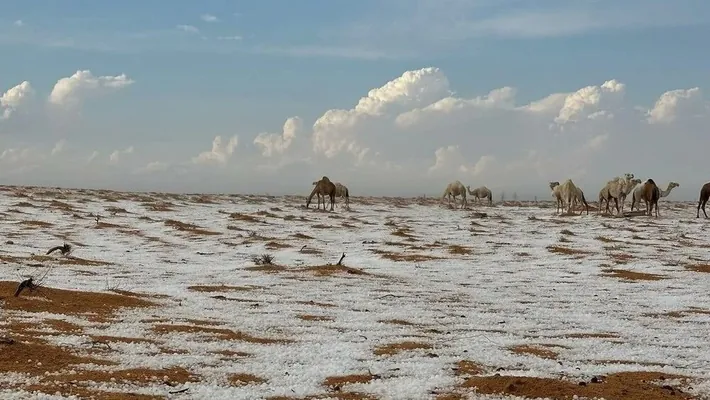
(241,297)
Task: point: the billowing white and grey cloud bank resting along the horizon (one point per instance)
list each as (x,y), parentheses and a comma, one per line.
(408,136)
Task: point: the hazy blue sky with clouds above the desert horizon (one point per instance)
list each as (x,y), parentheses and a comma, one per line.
(197,70)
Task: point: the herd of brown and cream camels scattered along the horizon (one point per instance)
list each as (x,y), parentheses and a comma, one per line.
(566,194)
